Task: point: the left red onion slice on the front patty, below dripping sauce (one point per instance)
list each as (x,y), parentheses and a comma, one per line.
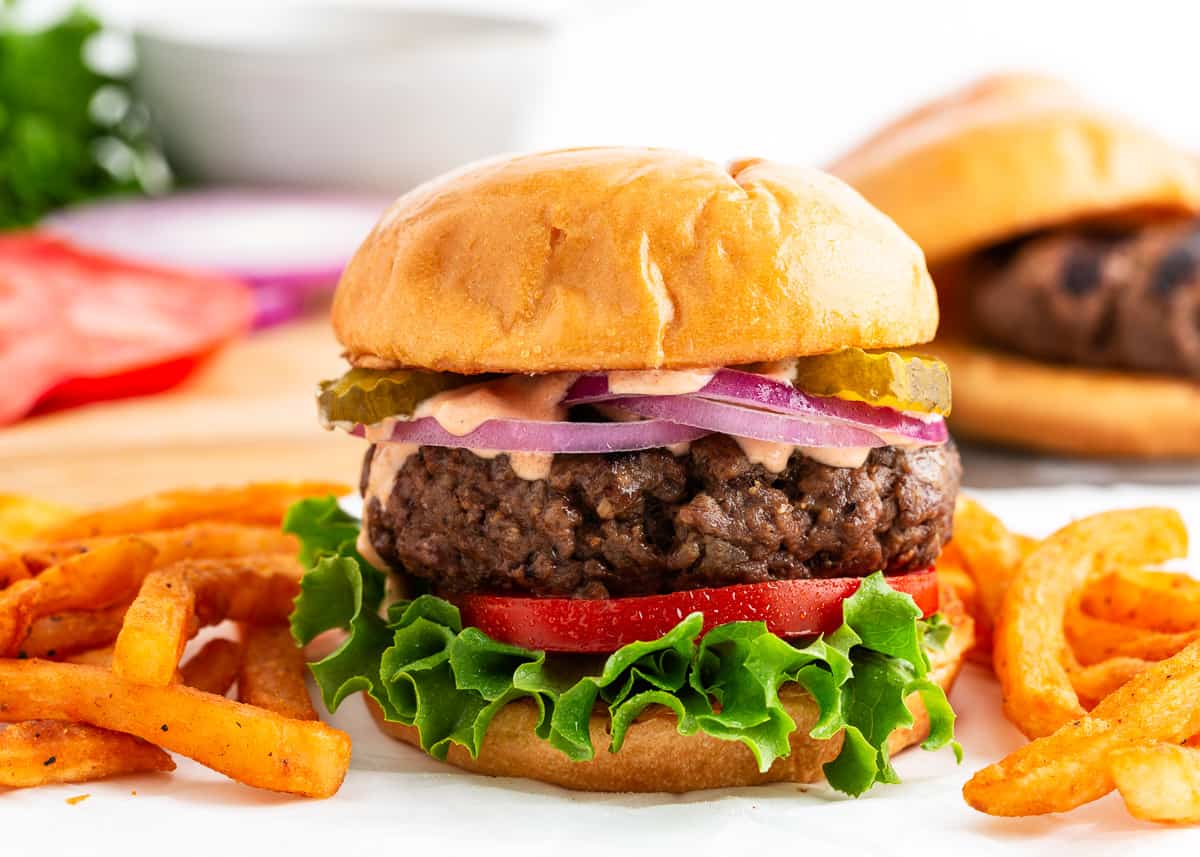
(529,436)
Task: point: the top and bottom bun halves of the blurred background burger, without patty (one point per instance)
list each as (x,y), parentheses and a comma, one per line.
(1001,159)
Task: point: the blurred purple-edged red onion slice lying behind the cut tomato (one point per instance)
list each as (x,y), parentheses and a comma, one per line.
(290,247)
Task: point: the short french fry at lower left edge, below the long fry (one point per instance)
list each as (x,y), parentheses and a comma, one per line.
(41,752)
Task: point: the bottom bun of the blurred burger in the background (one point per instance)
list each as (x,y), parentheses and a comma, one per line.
(1072,410)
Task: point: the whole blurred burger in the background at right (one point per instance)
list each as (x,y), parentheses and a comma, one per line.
(1066,249)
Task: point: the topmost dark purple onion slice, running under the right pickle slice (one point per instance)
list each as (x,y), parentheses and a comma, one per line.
(759,392)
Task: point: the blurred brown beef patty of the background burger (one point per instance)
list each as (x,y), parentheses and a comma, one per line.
(1126,302)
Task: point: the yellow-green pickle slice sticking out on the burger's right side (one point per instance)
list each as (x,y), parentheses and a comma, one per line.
(893,380)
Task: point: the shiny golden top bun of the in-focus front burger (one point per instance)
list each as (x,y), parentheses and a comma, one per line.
(629,259)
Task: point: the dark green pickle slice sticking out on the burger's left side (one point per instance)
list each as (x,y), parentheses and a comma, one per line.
(369,395)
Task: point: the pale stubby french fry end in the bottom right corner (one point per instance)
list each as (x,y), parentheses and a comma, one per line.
(1160,783)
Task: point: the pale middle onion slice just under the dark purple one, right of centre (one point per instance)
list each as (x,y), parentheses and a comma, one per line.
(741,422)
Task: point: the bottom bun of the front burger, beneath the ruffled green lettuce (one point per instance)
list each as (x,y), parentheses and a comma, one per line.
(657,759)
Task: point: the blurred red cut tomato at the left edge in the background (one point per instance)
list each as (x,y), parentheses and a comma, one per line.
(79,327)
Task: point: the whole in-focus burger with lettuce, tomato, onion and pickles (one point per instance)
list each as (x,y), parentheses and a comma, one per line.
(652,498)
